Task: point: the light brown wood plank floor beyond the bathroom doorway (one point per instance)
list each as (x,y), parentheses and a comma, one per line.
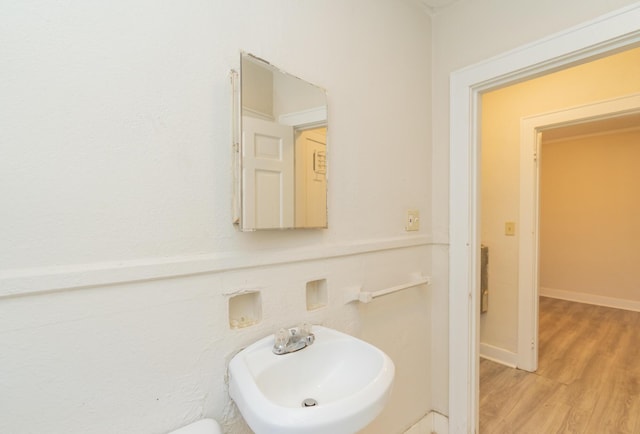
(588,378)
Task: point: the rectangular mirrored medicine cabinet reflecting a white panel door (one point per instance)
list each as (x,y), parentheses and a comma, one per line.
(280,144)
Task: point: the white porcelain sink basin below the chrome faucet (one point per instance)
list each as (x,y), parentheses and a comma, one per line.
(339,384)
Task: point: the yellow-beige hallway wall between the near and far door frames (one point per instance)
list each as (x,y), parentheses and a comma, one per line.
(501,113)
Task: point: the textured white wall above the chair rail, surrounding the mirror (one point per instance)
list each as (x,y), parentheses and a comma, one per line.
(116,121)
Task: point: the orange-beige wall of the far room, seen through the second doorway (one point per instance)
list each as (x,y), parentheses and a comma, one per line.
(589,231)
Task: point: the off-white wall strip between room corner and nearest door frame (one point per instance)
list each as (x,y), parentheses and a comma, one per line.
(465,33)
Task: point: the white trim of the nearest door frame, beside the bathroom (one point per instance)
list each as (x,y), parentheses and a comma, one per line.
(599,37)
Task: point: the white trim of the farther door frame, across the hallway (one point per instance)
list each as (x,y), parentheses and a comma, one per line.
(530,128)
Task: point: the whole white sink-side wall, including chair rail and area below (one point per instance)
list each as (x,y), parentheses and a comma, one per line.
(118,255)
